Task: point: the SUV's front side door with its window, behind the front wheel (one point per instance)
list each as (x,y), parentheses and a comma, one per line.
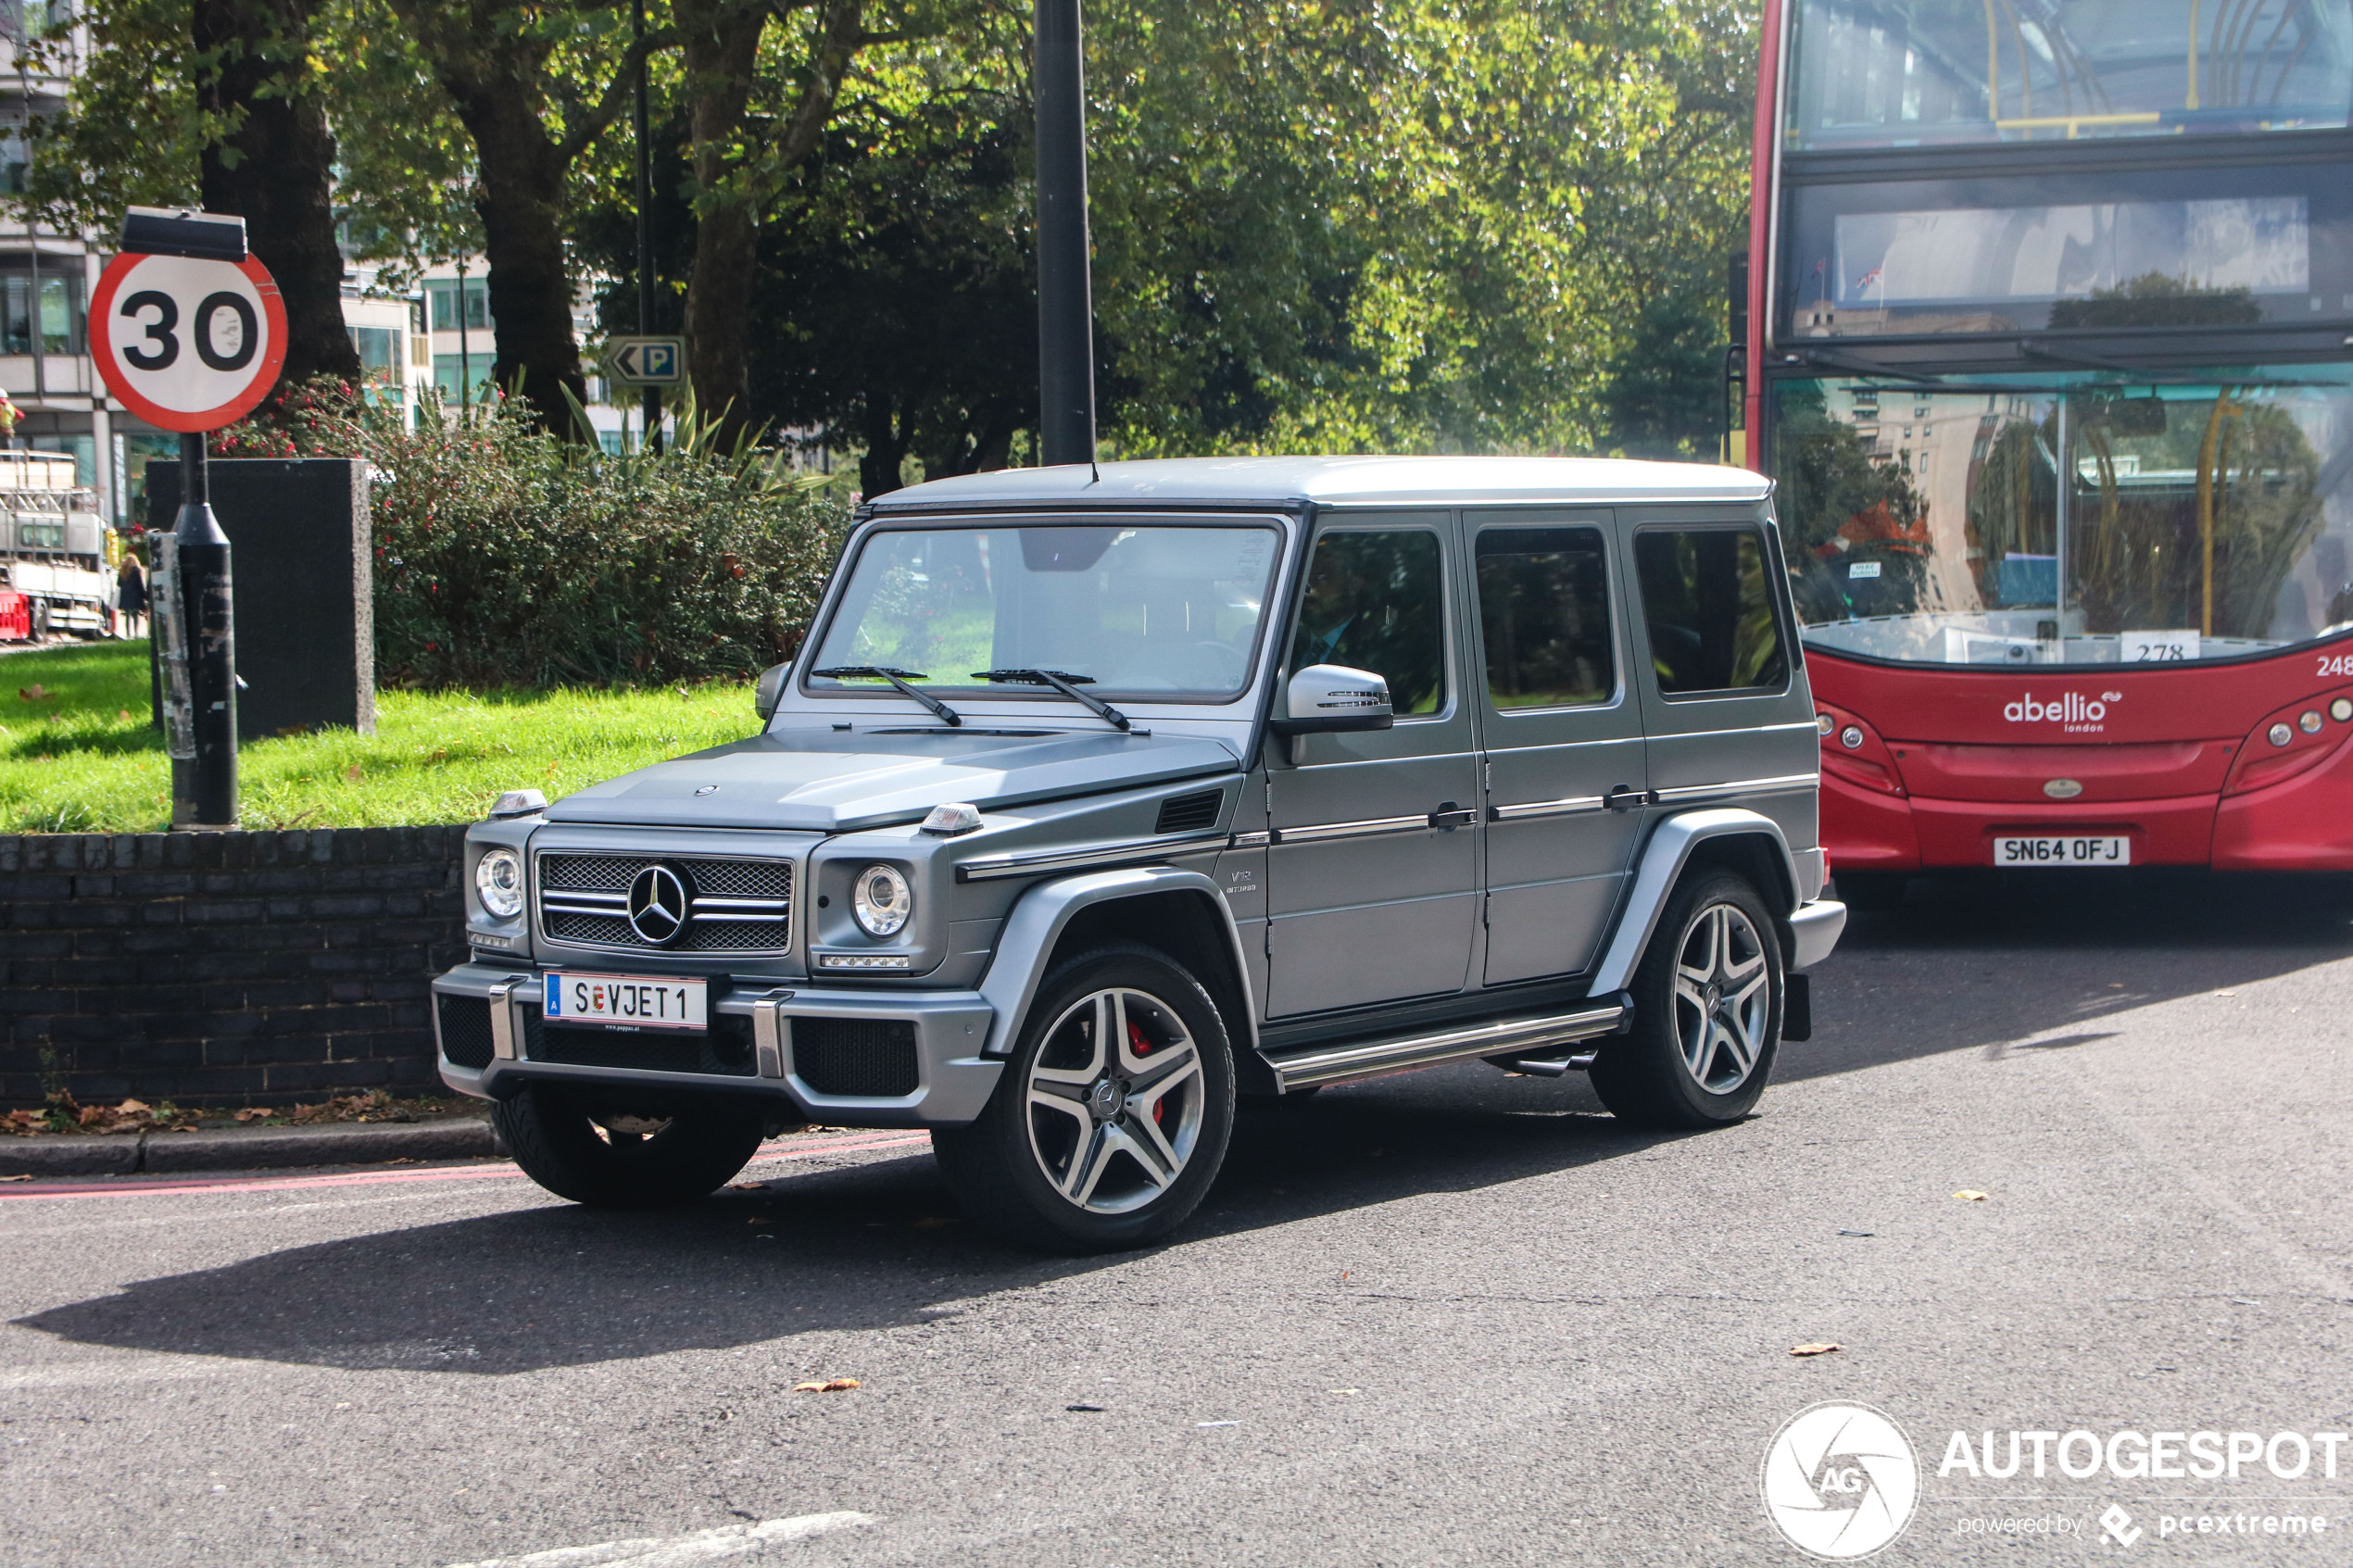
(1373,871)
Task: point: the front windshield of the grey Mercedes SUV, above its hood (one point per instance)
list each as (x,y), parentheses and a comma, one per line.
(1156,612)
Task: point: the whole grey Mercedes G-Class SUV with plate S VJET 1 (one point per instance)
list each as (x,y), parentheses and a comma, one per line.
(1100,798)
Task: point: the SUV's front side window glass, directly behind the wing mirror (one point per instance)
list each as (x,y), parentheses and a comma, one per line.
(1378,603)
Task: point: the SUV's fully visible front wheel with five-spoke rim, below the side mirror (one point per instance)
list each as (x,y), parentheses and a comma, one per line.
(1145,1172)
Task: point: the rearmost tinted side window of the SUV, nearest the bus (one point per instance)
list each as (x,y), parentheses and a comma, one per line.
(1709,608)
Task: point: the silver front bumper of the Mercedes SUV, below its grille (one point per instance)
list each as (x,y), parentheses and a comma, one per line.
(949,1031)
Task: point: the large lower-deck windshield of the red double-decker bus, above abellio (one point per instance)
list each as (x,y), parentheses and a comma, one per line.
(2069,525)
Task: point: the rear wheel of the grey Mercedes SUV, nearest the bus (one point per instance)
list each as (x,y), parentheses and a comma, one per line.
(1698,1052)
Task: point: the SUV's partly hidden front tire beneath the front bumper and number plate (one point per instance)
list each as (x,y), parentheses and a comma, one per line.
(564,1144)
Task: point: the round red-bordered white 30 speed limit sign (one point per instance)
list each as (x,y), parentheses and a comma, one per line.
(187,342)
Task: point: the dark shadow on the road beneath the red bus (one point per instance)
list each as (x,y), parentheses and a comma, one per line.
(1997,958)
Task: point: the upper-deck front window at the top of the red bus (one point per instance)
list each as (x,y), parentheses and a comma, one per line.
(1872,74)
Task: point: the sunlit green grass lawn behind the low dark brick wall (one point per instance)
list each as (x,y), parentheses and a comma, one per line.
(76,751)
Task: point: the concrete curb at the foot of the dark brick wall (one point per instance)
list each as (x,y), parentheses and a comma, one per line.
(335,1144)
